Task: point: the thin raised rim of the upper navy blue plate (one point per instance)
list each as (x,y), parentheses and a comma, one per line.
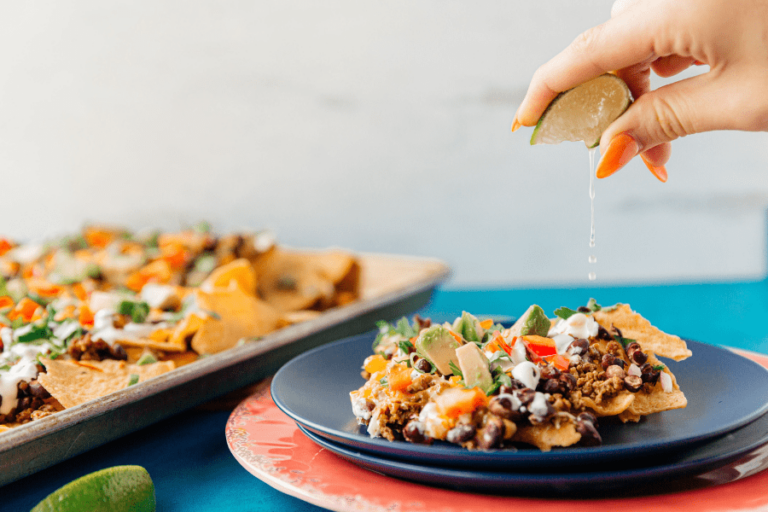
(575,455)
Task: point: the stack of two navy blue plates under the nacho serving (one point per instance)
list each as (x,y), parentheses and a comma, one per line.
(724,421)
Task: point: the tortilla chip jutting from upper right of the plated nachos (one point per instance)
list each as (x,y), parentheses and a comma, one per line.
(636,327)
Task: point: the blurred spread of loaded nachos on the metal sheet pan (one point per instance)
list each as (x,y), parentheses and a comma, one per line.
(90,314)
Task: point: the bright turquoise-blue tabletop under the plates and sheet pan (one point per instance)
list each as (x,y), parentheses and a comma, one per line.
(193,470)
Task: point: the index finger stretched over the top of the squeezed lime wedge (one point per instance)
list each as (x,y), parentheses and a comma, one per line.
(618,43)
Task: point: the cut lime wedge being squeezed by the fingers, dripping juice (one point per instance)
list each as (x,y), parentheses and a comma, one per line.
(584,112)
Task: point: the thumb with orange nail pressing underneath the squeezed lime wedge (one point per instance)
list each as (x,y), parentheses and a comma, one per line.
(693,105)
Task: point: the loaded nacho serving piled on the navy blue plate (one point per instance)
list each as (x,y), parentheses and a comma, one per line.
(544,382)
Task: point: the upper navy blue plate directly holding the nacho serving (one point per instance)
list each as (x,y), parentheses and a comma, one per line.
(725,391)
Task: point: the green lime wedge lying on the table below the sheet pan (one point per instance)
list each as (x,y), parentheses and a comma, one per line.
(116,489)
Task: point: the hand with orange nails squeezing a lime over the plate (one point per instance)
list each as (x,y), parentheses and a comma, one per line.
(666,36)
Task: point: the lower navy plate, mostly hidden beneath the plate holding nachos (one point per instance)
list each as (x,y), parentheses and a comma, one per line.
(739,447)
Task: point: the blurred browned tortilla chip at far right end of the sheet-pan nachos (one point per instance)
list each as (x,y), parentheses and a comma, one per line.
(292,281)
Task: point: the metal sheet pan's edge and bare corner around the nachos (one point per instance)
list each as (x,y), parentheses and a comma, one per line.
(391,286)
